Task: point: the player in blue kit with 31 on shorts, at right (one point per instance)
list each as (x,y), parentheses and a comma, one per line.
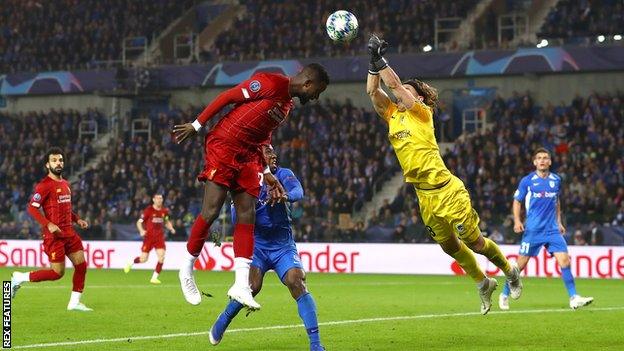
(543,227)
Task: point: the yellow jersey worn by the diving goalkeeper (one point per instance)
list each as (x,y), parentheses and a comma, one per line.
(411,134)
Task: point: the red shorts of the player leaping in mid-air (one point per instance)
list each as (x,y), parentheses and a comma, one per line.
(234,166)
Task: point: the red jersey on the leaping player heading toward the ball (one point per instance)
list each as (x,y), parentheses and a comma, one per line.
(249,121)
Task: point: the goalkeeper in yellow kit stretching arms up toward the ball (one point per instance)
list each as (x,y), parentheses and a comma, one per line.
(444,201)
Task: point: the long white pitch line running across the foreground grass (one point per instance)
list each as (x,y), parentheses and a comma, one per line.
(292,326)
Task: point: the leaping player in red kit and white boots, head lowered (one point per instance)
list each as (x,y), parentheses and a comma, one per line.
(234,163)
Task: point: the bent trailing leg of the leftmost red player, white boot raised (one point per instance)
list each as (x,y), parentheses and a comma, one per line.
(55,250)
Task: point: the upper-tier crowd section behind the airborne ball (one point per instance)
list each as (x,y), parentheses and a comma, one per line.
(266,31)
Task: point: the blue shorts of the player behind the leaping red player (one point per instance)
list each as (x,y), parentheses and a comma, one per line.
(281,260)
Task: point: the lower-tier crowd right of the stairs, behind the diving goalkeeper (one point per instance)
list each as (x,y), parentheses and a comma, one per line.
(587,141)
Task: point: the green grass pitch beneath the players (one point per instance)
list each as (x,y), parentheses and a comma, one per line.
(441,312)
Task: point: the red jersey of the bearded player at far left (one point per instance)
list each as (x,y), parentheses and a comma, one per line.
(54,196)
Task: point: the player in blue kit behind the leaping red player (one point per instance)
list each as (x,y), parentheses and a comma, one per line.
(275,249)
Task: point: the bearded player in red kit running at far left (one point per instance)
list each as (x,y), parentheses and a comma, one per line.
(51,207)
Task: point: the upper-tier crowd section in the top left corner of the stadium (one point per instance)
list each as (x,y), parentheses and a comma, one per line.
(37,35)
